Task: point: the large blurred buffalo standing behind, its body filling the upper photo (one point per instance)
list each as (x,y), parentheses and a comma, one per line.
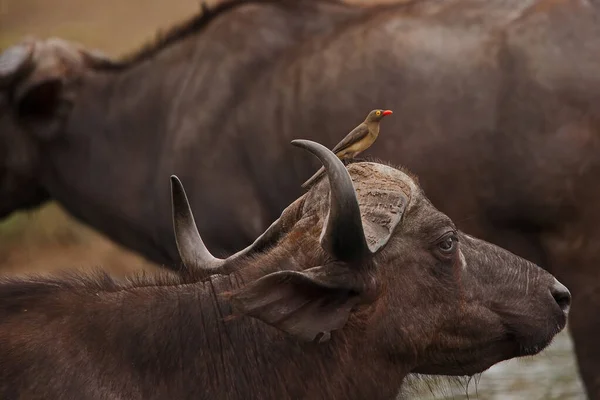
(496,108)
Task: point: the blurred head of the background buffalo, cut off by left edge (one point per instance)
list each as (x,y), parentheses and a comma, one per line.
(38,80)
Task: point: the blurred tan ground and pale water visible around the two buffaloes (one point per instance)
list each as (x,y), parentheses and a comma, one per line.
(48,239)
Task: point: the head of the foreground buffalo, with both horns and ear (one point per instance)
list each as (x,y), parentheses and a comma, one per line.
(365,258)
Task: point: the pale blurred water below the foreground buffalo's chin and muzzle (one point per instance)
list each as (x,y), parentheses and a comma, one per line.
(547,376)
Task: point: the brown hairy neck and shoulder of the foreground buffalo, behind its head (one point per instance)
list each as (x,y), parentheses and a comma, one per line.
(172,340)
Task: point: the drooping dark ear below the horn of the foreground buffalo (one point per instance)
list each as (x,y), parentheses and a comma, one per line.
(308,305)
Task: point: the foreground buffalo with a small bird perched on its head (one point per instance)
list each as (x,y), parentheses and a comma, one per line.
(357,289)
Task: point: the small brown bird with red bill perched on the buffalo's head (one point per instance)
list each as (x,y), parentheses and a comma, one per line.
(358,140)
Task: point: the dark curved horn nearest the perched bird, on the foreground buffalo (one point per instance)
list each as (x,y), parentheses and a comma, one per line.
(343,237)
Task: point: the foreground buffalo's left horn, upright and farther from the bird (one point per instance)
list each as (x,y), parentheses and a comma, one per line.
(192,250)
